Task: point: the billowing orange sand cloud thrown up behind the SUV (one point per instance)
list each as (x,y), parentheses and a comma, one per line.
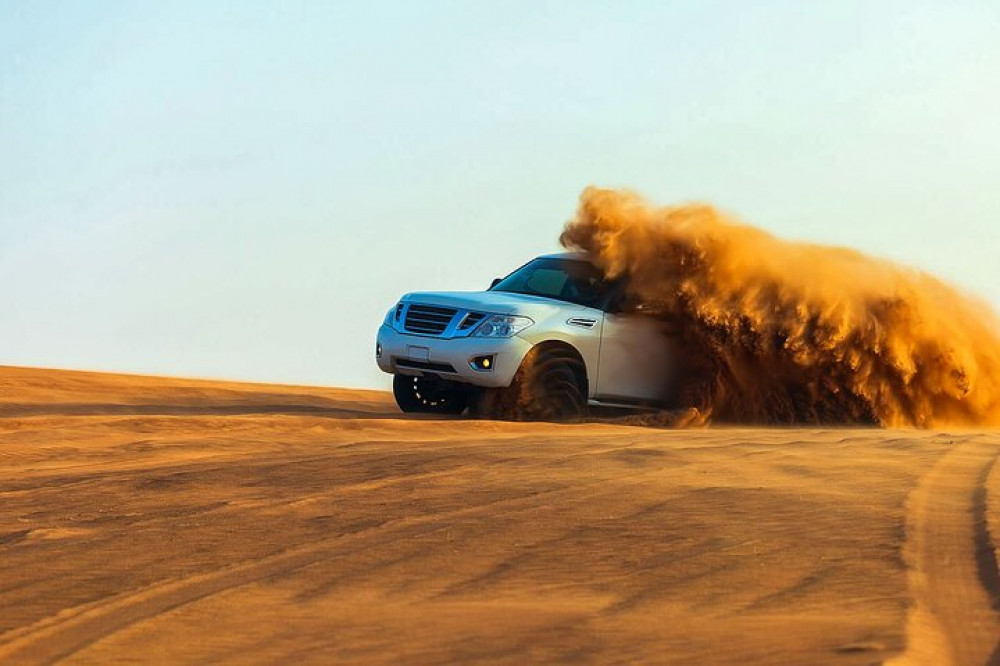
(774,331)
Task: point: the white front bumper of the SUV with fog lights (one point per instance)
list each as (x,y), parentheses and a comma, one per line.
(449,358)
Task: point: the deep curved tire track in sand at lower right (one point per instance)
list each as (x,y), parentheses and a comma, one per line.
(953,573)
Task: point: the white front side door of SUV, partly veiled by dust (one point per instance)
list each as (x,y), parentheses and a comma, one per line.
(638,361)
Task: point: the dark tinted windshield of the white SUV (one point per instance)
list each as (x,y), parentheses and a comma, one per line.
(569,280)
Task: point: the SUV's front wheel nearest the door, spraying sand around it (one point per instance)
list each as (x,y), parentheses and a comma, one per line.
(550,385)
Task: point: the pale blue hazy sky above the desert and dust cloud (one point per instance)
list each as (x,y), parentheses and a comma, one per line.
(243,189)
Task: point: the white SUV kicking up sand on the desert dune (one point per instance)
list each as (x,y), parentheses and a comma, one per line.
(545,342)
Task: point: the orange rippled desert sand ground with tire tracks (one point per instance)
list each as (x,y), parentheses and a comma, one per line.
(155,520)
